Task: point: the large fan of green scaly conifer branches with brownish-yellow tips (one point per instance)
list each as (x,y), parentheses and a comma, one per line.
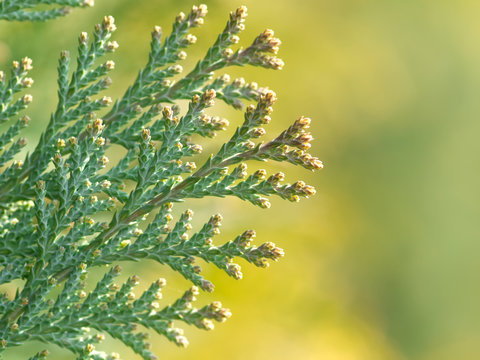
(52,202)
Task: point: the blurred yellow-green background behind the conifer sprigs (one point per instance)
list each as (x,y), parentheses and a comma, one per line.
(383,262)
